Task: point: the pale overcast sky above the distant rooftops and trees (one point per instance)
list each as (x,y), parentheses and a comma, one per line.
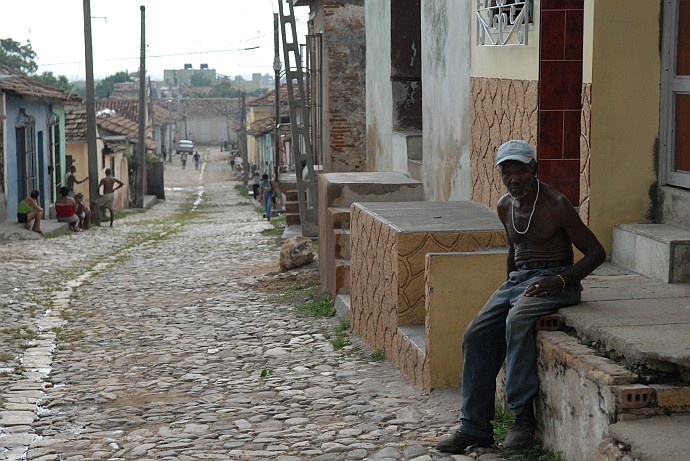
(214,32)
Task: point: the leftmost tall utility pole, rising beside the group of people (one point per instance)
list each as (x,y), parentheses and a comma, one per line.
(91,117)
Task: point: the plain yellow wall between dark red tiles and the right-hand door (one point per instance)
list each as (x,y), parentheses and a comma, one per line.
(625,111)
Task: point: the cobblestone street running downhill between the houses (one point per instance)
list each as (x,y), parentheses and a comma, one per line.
(157,339)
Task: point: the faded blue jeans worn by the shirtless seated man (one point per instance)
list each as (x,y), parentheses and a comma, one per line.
(504,330)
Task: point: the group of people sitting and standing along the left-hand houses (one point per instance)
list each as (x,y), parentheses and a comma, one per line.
(70,206)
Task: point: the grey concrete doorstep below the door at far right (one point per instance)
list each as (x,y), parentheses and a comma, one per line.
(659,251)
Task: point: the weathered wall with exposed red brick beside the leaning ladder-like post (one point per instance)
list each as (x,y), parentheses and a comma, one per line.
(345,52)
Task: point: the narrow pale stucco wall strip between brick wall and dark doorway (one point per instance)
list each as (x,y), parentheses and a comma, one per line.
(379,99)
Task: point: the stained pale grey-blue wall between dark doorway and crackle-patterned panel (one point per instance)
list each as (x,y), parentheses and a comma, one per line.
(446,47)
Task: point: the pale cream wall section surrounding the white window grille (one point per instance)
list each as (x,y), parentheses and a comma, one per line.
(511,62)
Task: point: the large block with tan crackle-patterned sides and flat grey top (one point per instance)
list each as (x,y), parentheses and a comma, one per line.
(389,243)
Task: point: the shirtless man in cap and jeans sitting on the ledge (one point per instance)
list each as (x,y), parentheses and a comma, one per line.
(542,226)
